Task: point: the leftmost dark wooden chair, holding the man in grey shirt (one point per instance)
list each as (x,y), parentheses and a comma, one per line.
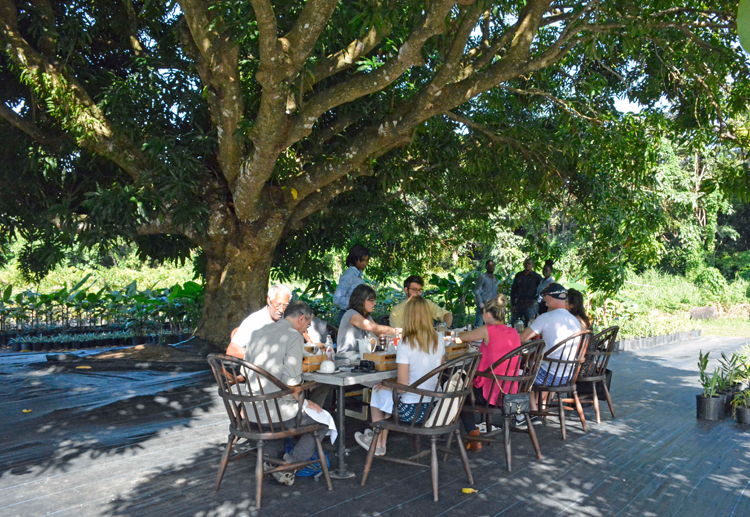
(243,397)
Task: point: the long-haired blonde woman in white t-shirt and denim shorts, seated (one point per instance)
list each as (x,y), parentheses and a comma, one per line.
(419,352)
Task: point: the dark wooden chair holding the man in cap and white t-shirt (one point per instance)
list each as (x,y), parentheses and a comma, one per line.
(562,363)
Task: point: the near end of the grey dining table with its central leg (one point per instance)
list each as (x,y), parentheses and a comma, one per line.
(341,379)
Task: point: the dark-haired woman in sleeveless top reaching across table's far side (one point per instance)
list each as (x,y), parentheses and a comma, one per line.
(357,323)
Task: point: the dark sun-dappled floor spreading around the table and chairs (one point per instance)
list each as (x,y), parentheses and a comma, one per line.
(156,452)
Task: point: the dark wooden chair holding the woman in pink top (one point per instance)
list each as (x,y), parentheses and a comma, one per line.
(513,373)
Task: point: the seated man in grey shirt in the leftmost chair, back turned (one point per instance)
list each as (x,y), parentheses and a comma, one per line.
(277,348)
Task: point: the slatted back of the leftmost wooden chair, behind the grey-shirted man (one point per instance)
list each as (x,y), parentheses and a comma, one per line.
(244,389)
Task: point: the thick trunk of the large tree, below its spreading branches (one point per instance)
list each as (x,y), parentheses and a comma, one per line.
(237,274)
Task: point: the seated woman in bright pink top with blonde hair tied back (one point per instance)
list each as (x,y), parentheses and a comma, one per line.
(497,340)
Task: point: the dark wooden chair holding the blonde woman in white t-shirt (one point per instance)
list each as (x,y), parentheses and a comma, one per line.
(455,379)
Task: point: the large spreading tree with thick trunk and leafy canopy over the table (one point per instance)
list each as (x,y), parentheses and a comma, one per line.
(230,125)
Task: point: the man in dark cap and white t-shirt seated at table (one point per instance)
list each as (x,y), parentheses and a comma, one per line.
(553,326)
